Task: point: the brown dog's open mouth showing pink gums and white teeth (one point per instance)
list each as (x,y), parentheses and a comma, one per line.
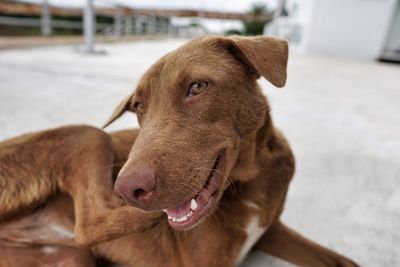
(187,214)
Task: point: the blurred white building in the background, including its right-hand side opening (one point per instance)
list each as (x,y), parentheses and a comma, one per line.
(348,28)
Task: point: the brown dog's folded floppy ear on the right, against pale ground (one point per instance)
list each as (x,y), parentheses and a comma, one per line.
(267,55)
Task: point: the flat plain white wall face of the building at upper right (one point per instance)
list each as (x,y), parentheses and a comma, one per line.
(349,28)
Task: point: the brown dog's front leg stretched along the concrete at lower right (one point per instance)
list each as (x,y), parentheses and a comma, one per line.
(285,243)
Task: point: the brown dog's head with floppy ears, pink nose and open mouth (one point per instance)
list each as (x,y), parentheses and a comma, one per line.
(201,115)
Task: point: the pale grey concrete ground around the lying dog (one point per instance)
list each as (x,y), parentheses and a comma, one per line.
(341,117)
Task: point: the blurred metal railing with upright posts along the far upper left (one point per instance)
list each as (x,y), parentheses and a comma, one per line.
(126,20)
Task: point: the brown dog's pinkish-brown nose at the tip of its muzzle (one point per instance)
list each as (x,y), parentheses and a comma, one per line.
(136,186)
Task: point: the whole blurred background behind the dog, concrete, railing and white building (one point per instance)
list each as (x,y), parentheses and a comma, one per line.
(72,61)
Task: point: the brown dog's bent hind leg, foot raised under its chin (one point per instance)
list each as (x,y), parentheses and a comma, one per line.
(74,159)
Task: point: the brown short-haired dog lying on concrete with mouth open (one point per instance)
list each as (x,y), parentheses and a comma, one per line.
(207,174)
